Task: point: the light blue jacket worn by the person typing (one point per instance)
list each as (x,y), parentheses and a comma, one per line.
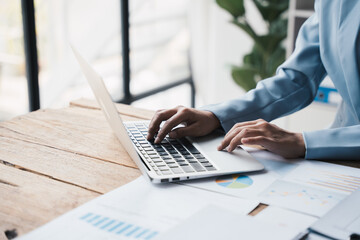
(328,43)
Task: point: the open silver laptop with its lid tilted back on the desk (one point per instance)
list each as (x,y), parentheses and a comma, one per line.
(173,159)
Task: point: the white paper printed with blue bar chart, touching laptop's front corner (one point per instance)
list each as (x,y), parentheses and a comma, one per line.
(138,210)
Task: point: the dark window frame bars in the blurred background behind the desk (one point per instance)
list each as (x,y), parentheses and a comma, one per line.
(32,67)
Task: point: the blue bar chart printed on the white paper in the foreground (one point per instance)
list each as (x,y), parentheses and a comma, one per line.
(119,228)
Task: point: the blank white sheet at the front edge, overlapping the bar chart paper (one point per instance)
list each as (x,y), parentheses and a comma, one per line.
(214,223)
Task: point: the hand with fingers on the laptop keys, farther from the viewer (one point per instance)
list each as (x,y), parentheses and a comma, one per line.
(197,123)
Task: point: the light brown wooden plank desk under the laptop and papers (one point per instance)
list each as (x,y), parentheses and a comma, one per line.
(55,160)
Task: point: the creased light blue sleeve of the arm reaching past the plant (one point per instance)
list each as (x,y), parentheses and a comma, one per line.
(292,88)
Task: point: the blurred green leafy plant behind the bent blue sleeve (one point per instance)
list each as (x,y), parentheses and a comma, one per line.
(267,53)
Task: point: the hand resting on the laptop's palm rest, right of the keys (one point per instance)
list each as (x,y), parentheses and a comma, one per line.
(271,137)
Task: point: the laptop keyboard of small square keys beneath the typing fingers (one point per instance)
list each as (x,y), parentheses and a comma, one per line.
(171,156)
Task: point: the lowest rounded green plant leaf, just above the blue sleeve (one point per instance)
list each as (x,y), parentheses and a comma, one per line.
(244,77)
